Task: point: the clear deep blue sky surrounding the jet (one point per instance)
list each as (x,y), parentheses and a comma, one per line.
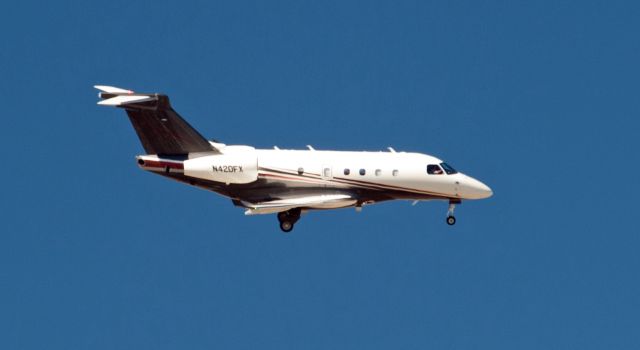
(537,99)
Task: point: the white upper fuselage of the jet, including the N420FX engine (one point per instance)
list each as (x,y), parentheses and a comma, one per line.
(403,172)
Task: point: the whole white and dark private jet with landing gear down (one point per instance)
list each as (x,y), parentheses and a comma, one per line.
(285,182)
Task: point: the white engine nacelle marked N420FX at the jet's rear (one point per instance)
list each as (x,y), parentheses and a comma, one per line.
(238,165)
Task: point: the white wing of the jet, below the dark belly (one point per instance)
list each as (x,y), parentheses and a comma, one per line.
(329,201)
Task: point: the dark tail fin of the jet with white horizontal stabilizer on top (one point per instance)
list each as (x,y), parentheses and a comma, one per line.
(161,129)
